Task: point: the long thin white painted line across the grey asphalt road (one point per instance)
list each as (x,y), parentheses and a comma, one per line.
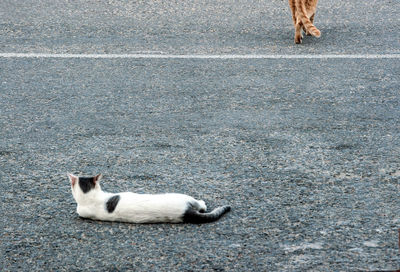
(197,56)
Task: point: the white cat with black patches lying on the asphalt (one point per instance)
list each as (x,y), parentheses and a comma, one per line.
(130,207)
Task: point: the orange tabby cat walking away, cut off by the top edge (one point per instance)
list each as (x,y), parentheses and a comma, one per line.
(303,12)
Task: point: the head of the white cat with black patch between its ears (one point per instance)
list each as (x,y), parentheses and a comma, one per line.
(84,186)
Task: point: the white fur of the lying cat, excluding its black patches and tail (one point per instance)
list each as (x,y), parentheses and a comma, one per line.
(132,207)
